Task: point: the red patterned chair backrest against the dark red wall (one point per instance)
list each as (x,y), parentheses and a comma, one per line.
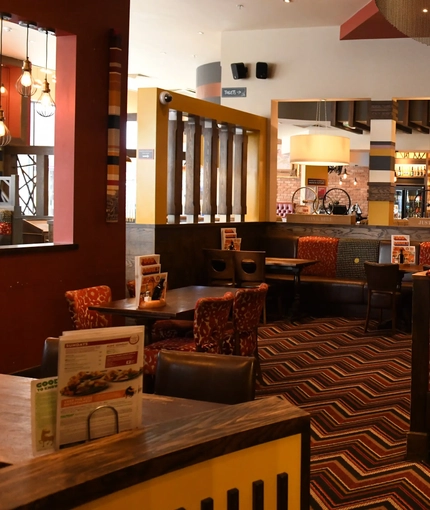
(80,299)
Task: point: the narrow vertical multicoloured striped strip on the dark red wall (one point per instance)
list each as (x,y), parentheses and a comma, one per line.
(114,110)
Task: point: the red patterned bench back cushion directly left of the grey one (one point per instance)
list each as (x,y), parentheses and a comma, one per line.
(323,249)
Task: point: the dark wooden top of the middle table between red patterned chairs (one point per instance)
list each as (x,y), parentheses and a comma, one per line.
(179,303)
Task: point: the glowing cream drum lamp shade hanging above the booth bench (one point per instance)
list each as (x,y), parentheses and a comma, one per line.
(320,150)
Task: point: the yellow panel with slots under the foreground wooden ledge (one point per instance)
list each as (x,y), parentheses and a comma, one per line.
(213,478)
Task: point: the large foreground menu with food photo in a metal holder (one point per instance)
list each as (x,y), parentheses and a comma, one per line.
(100,375)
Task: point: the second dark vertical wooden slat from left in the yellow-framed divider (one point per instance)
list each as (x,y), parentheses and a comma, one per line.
(193,155)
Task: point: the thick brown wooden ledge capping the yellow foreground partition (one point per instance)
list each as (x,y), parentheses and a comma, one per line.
(71,477)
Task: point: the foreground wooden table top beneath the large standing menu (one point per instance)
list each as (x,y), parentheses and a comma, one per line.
(15,415)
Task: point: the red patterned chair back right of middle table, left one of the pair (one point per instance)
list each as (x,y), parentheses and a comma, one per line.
(210,318)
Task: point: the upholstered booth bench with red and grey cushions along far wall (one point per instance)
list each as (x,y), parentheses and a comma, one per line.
(337,282)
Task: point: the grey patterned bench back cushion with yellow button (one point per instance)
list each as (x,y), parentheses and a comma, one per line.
(351,255)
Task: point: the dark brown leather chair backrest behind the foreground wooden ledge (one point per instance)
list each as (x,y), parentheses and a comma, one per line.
(202,376)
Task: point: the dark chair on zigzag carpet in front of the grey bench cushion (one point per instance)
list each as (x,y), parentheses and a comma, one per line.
(383,290)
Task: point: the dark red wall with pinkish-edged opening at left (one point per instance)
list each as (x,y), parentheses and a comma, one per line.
(33,283)
